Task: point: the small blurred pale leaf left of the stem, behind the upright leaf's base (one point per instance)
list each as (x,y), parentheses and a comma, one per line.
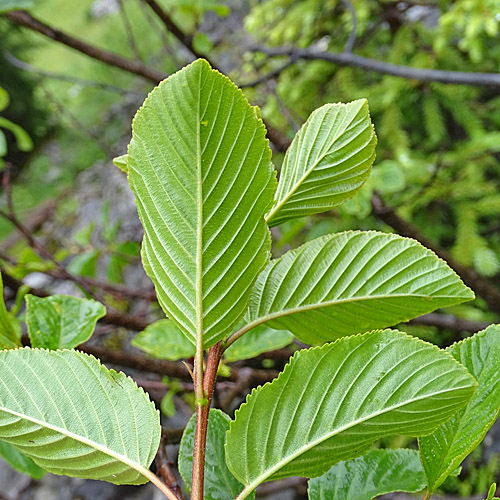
(164,340)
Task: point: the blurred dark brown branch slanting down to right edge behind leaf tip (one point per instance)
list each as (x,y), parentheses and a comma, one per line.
(480,285)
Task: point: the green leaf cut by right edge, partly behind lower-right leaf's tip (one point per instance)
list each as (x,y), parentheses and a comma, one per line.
(443,451)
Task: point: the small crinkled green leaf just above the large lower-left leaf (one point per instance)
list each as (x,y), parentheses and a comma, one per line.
(61,321)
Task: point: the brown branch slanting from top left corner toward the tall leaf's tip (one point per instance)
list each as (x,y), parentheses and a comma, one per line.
(135,67)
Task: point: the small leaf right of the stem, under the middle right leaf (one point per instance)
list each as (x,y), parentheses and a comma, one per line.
(258,340)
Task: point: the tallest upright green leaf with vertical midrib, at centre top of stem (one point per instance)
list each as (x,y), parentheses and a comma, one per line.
(200,167)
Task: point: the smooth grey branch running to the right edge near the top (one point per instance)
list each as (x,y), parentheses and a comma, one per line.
(420,74)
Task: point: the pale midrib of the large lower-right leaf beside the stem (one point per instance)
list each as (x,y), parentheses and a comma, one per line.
(333,433)
